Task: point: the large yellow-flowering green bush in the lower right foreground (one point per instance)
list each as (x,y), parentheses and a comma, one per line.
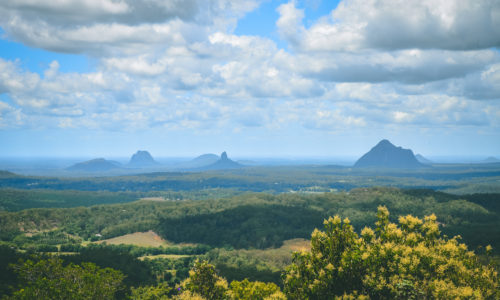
(409,260)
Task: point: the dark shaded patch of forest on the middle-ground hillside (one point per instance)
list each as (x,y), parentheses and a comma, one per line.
(259,226)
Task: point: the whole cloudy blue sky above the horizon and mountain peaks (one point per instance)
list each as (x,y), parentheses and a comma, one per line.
(105,78)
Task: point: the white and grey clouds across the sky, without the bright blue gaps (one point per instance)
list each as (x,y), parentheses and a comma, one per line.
(179,64)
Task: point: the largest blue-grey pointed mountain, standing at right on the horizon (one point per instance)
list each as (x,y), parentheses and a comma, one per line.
(386,155)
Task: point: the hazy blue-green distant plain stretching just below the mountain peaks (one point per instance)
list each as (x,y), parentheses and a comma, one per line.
(456,178)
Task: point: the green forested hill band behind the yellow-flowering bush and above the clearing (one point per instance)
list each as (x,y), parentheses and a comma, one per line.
(235,221)
